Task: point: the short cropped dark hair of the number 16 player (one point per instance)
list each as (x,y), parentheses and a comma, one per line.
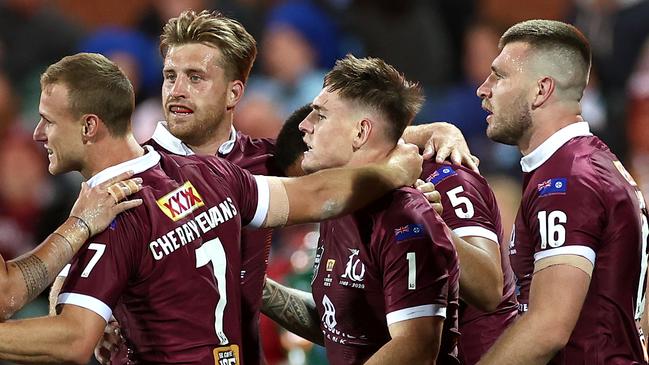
(550,34)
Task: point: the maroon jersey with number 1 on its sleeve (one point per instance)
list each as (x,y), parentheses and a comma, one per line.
(389,262)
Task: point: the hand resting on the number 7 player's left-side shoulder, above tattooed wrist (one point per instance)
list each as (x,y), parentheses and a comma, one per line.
(96,207)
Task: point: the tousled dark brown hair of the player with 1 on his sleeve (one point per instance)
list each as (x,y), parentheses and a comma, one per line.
(376,84)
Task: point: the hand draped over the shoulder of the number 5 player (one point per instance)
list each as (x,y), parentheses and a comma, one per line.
(447,142)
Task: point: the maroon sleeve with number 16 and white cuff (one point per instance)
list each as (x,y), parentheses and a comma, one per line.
(566,215)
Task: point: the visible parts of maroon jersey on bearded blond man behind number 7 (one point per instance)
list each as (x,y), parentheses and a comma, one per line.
(256,156)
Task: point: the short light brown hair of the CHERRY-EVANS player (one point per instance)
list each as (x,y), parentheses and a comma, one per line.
(97,86)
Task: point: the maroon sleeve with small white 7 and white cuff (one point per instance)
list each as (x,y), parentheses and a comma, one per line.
(100,271)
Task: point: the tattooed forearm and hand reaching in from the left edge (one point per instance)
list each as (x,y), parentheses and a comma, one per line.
(22,279)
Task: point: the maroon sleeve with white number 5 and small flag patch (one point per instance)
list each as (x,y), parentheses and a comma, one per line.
(467,203)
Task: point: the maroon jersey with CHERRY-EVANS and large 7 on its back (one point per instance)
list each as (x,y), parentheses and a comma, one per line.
(169,270)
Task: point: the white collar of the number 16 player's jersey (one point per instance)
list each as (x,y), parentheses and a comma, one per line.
(542,153)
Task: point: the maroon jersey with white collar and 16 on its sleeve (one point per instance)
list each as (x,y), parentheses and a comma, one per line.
(579,200)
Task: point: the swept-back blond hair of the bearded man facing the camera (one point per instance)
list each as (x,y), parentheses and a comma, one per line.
(213,29)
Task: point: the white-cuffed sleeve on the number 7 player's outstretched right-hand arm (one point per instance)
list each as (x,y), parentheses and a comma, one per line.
(251,192)
